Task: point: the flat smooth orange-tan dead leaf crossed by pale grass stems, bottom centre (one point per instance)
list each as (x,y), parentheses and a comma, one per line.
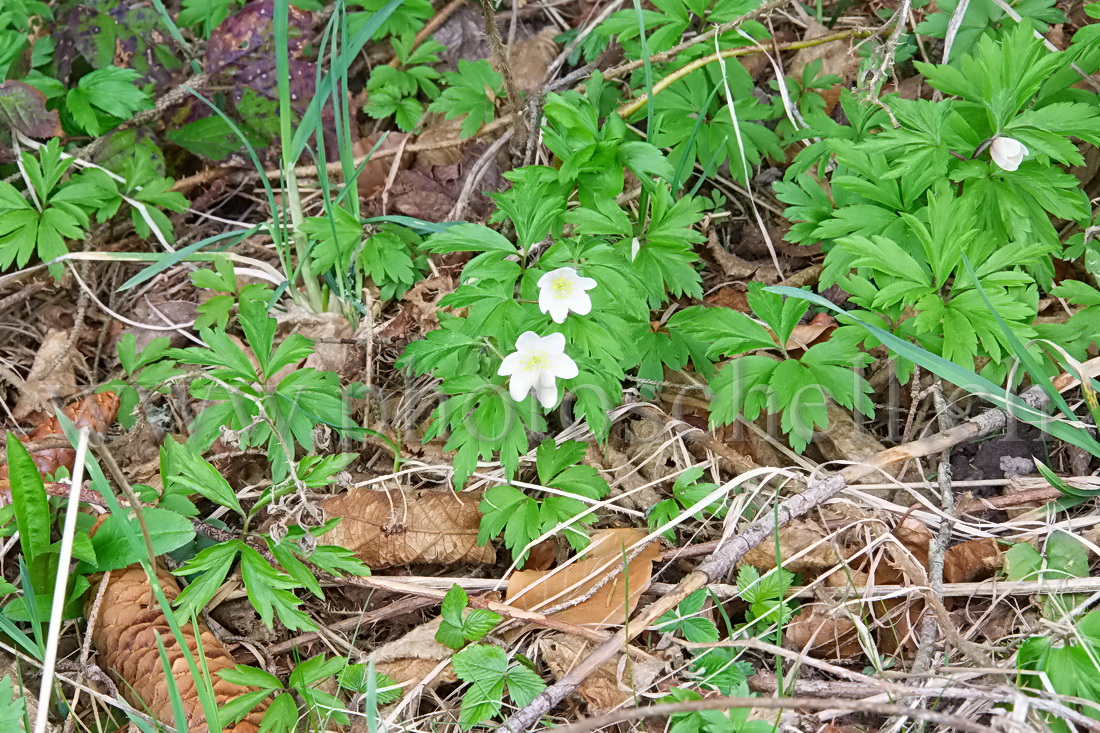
(603,604)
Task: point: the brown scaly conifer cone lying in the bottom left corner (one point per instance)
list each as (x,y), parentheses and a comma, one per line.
(126,633)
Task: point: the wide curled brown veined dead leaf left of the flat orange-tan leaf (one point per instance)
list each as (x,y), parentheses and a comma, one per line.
(397,528)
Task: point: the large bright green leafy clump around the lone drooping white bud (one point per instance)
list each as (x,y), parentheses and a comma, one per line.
(911,203)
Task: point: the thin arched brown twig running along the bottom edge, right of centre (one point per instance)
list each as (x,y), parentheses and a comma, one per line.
(952,723)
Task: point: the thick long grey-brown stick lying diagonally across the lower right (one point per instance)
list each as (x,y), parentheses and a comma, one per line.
(728,555)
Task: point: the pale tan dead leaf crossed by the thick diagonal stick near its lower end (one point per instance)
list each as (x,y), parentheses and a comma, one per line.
(614,684)
